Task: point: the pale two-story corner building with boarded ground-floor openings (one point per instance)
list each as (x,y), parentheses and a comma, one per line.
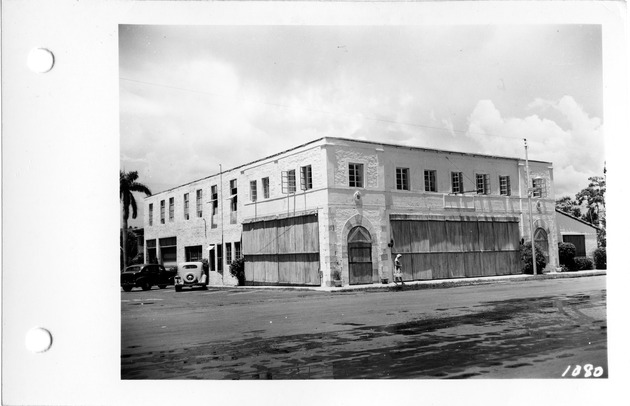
(340,206)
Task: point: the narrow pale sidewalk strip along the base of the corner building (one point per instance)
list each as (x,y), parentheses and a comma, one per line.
(433,284)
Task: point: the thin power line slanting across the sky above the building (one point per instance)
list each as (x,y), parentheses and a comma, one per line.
(280,105)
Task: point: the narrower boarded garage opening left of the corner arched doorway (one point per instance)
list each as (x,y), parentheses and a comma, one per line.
(282,251)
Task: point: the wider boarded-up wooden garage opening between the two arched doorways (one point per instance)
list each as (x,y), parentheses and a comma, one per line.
(456,247)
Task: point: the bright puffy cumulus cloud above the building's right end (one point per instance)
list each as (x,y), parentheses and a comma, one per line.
(575,149)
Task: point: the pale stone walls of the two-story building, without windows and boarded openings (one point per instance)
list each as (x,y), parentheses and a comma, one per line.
(341,207)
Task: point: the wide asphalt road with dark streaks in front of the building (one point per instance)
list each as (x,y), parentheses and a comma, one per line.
(552,328)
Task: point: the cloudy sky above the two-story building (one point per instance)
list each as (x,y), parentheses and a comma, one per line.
(194,97)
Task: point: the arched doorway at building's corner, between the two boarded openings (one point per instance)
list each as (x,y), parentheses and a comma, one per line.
(359,256)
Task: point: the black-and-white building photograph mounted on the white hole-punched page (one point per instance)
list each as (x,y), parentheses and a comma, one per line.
(359,202)
